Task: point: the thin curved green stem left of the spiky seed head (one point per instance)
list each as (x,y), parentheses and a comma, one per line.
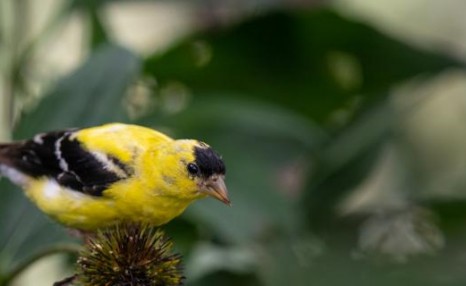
(63,248)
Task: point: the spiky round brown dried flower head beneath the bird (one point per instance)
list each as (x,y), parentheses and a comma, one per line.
(127,254)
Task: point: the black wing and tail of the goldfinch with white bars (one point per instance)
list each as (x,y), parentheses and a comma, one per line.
(56,155)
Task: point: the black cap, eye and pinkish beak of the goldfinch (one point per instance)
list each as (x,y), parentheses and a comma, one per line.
(210,169)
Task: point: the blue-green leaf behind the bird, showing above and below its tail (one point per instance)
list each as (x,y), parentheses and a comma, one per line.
(91,95)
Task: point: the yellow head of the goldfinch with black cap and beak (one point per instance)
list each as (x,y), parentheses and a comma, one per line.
(194,170)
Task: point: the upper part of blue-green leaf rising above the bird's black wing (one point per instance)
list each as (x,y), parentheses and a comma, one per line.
(91,95)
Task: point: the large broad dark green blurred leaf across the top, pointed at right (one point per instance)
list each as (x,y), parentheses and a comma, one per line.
(314,62)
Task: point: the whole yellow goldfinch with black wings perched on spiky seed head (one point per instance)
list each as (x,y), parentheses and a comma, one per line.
(96,177)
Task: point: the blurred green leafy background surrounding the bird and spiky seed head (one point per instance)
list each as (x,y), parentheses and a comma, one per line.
(341,124)
